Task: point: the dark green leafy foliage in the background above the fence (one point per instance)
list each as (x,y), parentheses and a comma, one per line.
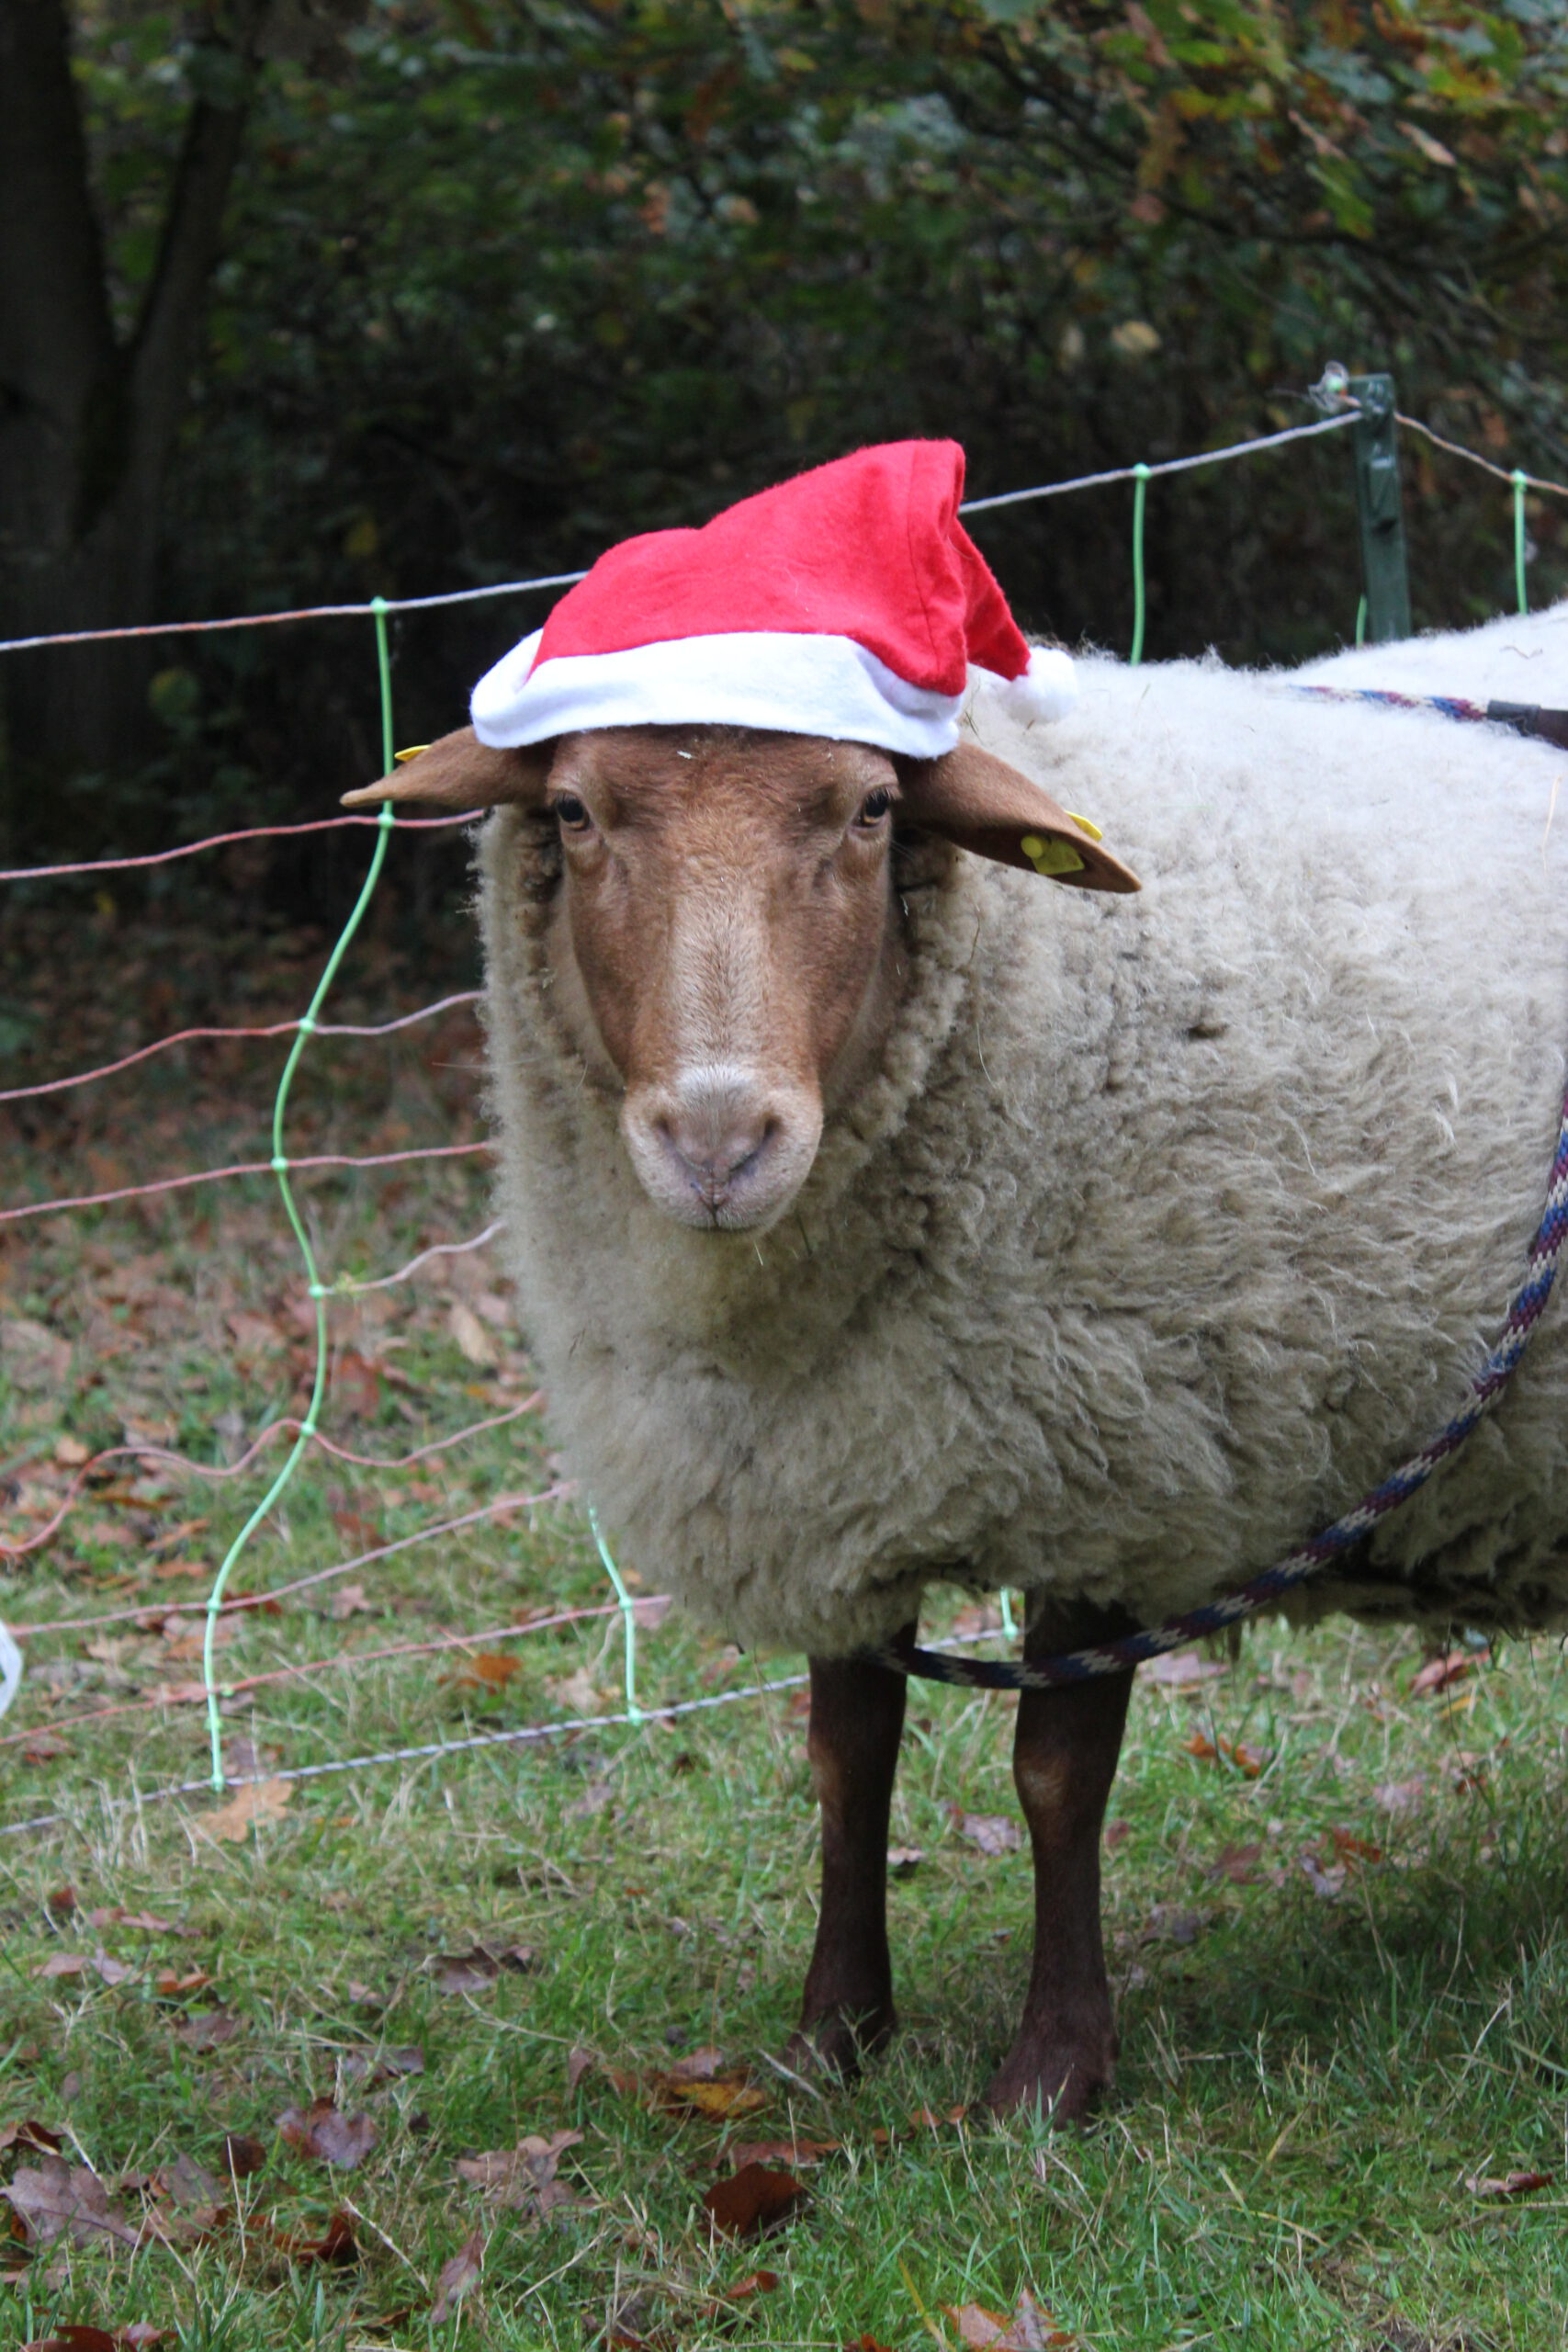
(528,276)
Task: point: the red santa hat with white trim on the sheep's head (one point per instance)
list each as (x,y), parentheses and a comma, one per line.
(847,603)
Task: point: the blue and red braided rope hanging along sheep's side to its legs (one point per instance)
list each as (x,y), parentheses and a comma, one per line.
(1296,1568)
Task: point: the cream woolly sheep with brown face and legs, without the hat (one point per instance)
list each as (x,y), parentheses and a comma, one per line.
(1099,1248)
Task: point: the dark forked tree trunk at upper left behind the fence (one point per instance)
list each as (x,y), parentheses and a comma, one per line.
(88,422)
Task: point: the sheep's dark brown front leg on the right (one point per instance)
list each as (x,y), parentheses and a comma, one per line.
(1064,1765)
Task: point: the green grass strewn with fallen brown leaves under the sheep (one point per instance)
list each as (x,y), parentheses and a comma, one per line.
(1325,2040)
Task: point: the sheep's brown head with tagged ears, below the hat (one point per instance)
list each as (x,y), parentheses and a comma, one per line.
(728,944)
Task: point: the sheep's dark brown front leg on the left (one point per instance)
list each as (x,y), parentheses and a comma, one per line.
(857,1723)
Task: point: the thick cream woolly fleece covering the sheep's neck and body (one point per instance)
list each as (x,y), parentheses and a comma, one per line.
(1167,1227)
